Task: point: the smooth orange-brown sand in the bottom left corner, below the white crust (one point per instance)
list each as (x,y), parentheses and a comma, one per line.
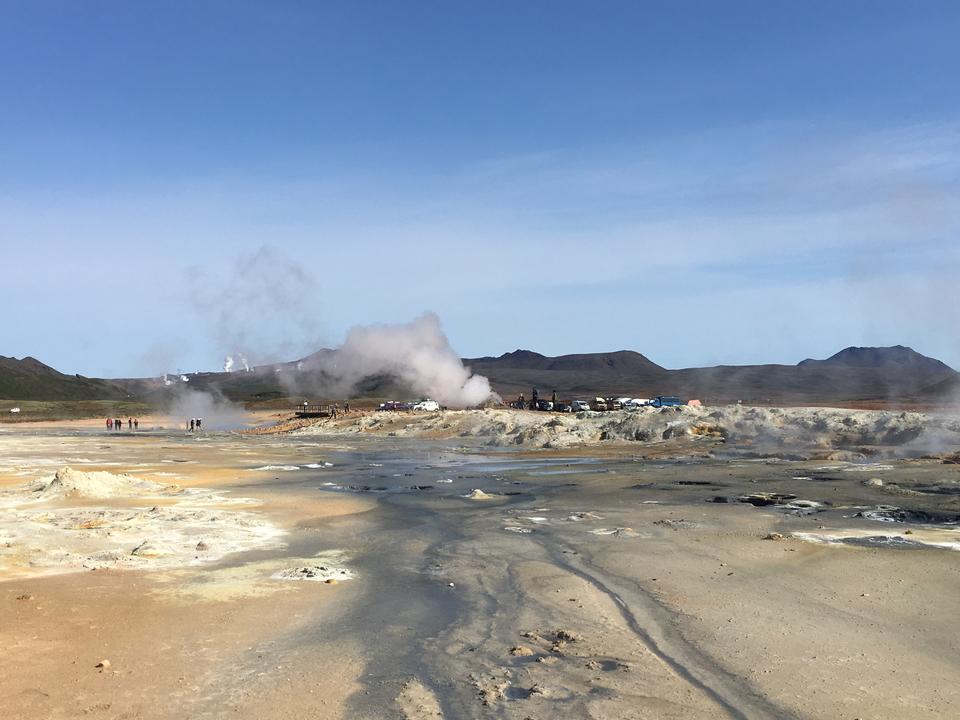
(168,656)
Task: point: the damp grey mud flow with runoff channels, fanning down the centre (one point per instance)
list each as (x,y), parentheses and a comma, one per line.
(444,597)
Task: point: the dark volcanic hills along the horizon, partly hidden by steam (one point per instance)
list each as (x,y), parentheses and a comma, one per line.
(874,374)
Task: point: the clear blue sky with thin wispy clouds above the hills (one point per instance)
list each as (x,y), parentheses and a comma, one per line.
(703,182)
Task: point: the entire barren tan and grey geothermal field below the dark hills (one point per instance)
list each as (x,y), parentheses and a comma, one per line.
(388,567)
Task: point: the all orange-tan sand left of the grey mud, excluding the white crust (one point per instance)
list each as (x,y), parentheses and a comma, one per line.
(170,631)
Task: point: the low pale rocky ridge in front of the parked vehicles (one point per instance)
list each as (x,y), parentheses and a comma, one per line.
(779,431)
